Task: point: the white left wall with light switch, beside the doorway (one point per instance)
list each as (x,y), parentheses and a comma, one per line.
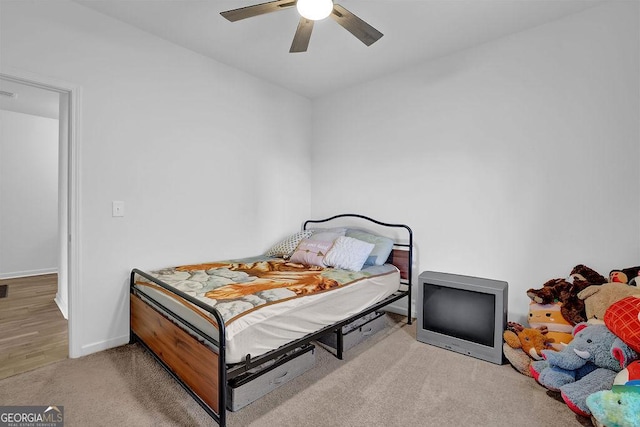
(196,150)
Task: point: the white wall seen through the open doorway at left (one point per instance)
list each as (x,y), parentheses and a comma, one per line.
(28,194)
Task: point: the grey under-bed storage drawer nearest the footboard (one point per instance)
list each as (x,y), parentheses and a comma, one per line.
(253,385)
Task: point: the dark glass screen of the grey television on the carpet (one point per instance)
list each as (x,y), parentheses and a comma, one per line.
(460,313)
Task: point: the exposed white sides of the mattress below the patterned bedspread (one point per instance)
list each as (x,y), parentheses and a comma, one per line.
(272,326)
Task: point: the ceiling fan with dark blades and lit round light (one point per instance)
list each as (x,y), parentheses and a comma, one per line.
(310,11)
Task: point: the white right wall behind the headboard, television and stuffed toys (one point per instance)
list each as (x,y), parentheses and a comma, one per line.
(515,160)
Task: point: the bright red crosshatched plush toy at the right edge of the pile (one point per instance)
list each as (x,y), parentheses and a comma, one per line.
(623,319)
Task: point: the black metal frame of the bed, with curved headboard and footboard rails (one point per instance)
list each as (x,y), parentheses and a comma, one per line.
(226,372)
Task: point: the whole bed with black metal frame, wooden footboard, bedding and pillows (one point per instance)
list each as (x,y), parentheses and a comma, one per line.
(211,325)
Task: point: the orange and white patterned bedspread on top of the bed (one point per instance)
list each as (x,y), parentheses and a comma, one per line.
(237,287)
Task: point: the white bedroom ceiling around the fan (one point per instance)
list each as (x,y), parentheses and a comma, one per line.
(414,31)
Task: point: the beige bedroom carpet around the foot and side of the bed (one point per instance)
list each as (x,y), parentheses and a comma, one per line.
(389,380)
